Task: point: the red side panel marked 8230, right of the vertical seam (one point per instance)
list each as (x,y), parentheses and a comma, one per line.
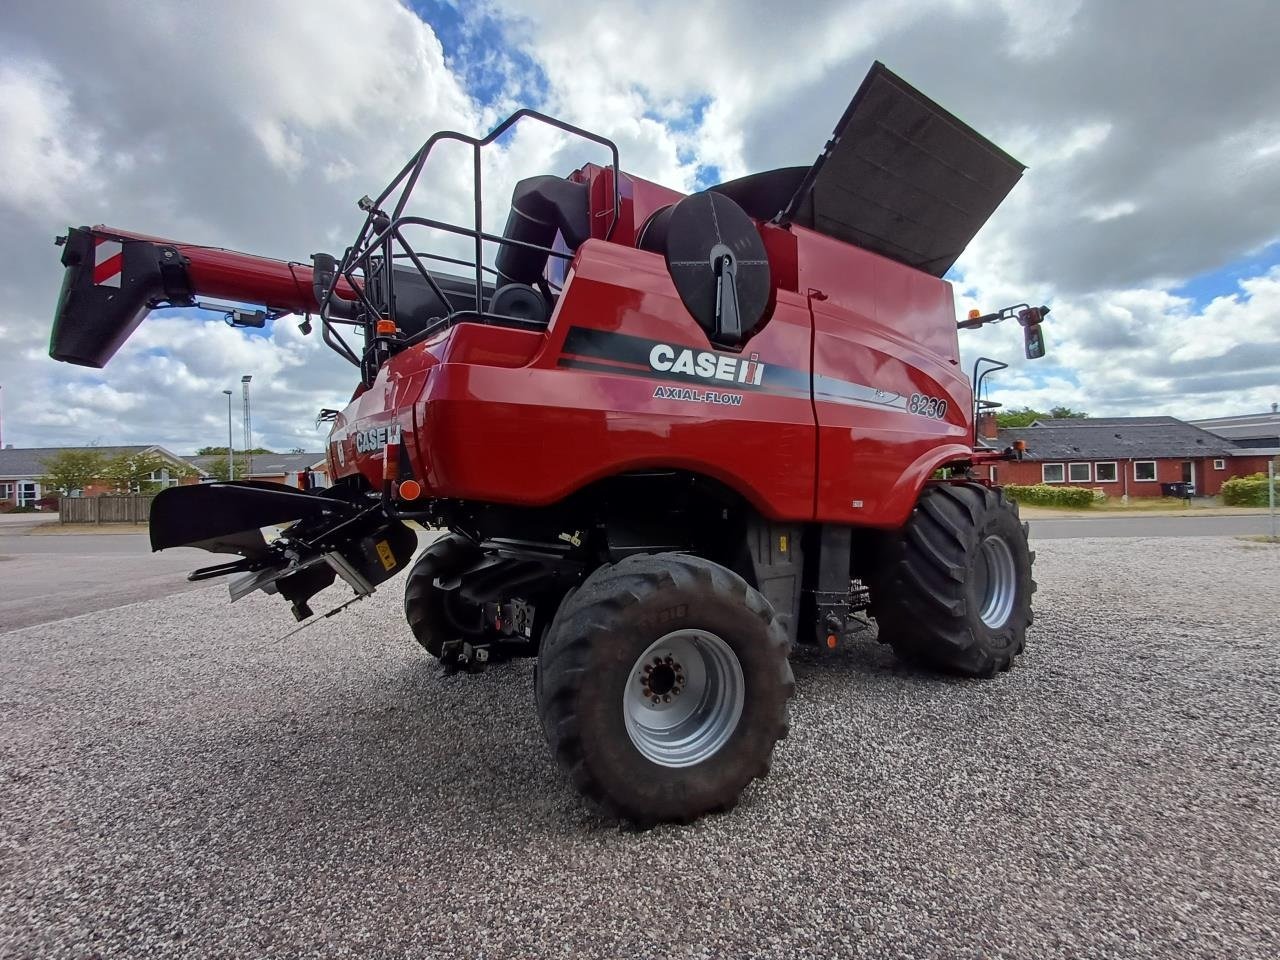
(890,330)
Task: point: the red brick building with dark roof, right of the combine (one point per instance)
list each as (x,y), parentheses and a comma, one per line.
(1122,456)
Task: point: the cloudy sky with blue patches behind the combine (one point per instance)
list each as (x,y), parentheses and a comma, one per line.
(1150,218)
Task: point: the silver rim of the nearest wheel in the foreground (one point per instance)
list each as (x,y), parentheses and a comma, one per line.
(684,698)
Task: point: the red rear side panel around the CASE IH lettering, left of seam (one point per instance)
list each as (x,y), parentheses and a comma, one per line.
(537,433)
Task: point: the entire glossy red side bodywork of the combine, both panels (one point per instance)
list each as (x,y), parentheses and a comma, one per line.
(499,415)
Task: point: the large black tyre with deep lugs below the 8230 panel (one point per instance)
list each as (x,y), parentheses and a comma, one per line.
(957,584)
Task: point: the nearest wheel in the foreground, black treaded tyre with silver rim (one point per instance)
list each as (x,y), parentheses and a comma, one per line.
(664,687)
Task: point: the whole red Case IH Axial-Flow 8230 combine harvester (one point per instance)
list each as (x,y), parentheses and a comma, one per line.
(669,436)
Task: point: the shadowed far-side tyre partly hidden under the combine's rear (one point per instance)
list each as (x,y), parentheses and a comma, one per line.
(437,616)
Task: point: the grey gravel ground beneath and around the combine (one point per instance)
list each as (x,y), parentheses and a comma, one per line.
(177,785)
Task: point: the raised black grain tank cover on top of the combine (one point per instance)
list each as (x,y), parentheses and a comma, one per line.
(900,177)
